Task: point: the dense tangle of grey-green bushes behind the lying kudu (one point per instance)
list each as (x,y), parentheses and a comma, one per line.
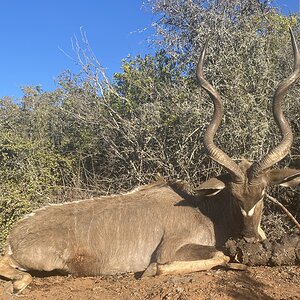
(92,136)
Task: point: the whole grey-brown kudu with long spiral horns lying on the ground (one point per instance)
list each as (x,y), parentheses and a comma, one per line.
(156,228)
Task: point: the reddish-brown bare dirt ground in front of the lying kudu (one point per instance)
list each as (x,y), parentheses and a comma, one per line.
(255,283)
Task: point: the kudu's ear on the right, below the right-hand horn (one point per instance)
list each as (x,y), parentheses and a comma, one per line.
(285,177)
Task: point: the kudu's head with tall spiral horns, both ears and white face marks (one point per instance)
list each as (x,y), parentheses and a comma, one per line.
(247,182)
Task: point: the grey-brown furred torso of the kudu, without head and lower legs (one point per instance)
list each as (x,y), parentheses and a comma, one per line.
(111,235)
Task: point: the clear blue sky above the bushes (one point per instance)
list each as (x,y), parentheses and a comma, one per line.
(32,32)
